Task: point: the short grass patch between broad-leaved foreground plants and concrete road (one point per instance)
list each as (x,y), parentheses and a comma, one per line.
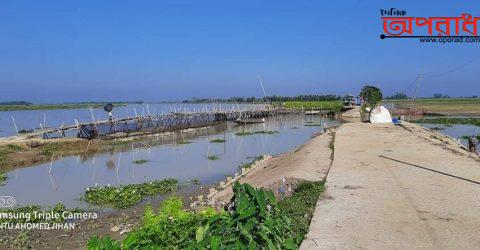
(300,206)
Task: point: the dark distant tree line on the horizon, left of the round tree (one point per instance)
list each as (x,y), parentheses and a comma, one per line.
(273,98)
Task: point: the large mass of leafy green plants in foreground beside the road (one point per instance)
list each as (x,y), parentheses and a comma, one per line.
(256,221)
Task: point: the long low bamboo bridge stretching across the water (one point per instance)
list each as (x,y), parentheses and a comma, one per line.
(149,124)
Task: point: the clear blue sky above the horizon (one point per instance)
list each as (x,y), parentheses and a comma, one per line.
(58,51)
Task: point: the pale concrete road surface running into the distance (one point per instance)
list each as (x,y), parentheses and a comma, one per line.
(397,187)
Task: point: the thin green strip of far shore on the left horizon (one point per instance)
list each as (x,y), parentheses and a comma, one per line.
(29,106)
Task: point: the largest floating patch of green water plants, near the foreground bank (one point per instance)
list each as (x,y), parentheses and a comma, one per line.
(127,195)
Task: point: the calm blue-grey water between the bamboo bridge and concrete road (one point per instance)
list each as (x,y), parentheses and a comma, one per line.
(181,155)
